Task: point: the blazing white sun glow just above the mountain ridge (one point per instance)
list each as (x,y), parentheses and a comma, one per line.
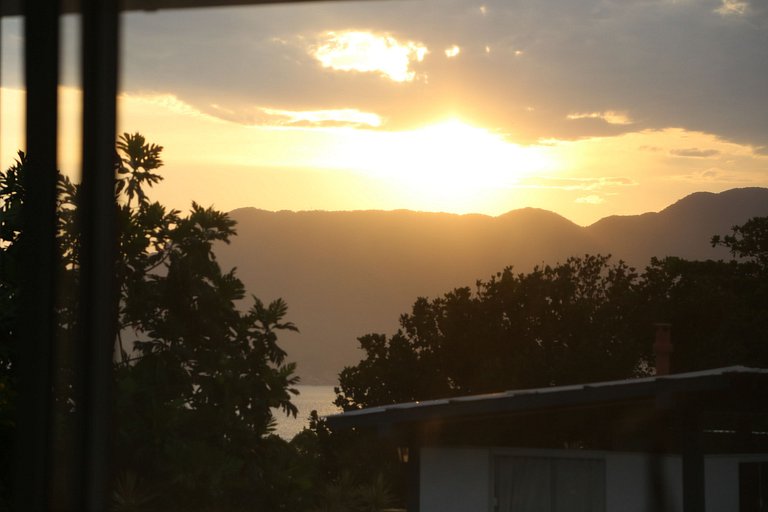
(450,165)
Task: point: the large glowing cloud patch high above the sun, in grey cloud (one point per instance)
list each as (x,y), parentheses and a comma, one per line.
(368,52)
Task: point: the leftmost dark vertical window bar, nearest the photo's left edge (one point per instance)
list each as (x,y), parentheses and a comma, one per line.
(38,246)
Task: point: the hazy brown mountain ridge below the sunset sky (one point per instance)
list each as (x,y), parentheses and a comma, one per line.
(348,273)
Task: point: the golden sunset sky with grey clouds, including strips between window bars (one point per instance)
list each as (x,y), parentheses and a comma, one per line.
(587,108)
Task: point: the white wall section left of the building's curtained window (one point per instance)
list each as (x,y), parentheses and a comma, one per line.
(455,480)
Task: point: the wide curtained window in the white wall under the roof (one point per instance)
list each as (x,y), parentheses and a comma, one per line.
(545,484)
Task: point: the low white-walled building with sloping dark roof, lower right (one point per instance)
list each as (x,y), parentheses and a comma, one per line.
(682,442)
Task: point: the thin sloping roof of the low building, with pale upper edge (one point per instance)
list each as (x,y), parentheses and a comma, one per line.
(556,396)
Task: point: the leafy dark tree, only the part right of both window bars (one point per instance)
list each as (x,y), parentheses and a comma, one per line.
(196,394)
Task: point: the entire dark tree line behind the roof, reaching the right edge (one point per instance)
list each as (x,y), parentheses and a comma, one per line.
(587,319)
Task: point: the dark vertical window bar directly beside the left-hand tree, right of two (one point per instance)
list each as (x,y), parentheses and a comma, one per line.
(98,221)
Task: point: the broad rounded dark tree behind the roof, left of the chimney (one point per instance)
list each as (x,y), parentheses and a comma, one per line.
(555,325)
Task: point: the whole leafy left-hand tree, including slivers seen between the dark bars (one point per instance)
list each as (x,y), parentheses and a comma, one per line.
(197,379)
